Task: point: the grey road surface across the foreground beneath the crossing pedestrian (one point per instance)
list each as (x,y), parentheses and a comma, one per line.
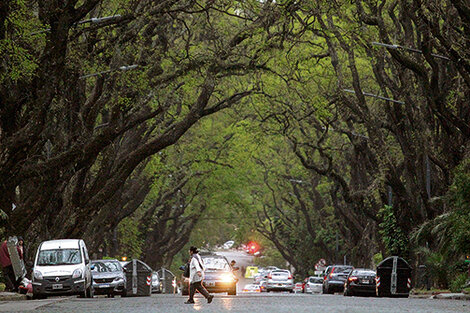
(266,303)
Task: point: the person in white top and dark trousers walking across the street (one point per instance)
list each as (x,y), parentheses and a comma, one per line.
(196,276)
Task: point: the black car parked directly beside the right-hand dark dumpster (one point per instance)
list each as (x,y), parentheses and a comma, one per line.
(360,282)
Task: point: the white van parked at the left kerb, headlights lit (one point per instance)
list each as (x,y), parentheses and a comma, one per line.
(62,267)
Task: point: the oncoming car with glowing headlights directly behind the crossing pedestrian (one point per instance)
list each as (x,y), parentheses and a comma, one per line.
(218,276)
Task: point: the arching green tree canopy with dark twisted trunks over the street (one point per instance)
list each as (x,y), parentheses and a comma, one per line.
(325,129)
